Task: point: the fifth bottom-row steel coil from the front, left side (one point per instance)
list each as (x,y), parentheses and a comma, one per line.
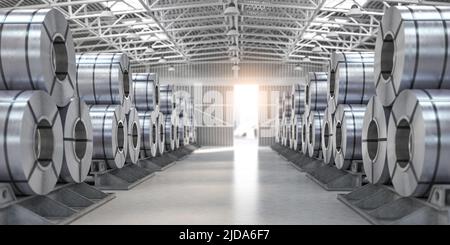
(149,133)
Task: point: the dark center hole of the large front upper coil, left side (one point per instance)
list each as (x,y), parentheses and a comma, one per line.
(60,58)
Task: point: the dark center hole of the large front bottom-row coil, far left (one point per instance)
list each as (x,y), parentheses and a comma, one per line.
(43,143)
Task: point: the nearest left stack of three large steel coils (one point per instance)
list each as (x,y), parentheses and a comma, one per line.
(46,129)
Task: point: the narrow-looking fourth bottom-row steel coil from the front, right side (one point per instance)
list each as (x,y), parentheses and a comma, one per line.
(327,137)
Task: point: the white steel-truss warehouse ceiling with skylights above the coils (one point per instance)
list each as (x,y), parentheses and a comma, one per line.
(154,32)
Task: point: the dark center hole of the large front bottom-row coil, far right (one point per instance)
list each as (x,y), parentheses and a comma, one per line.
(403,143)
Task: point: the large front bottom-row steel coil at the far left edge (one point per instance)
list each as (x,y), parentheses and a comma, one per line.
(31,142)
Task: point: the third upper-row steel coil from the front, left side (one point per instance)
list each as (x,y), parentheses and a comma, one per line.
(146,91)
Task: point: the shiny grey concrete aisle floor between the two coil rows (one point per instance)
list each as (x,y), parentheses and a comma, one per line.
(240,185)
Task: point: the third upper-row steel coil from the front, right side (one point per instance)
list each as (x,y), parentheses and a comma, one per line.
(316,91)
